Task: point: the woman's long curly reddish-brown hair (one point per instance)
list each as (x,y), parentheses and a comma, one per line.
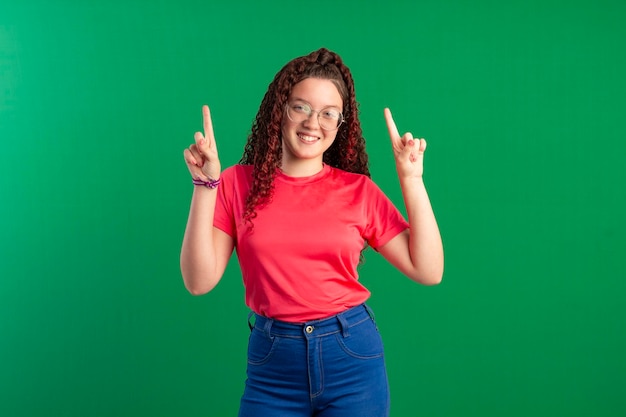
(264,147)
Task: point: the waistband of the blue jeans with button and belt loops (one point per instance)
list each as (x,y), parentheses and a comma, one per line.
(338,323)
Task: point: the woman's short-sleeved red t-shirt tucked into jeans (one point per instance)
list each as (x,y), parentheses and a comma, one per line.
(299,262)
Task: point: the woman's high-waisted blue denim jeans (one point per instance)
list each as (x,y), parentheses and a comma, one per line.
(323,368)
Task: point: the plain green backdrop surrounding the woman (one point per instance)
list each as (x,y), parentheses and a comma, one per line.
(522,103)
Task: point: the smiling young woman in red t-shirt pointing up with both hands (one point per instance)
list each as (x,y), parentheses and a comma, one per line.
(299,209)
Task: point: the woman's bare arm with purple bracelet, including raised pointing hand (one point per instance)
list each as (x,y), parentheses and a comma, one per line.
(206,250)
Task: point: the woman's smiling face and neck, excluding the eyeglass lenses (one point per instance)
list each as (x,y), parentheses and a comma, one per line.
(305,142)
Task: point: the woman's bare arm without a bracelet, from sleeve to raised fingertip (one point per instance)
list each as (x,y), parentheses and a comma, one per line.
(418,251)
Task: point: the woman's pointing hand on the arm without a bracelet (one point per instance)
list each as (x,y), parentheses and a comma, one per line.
(408,152)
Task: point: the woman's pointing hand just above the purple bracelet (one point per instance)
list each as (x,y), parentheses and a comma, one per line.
(201,157)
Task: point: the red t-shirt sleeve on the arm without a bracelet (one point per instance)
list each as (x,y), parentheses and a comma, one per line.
(384,219)
